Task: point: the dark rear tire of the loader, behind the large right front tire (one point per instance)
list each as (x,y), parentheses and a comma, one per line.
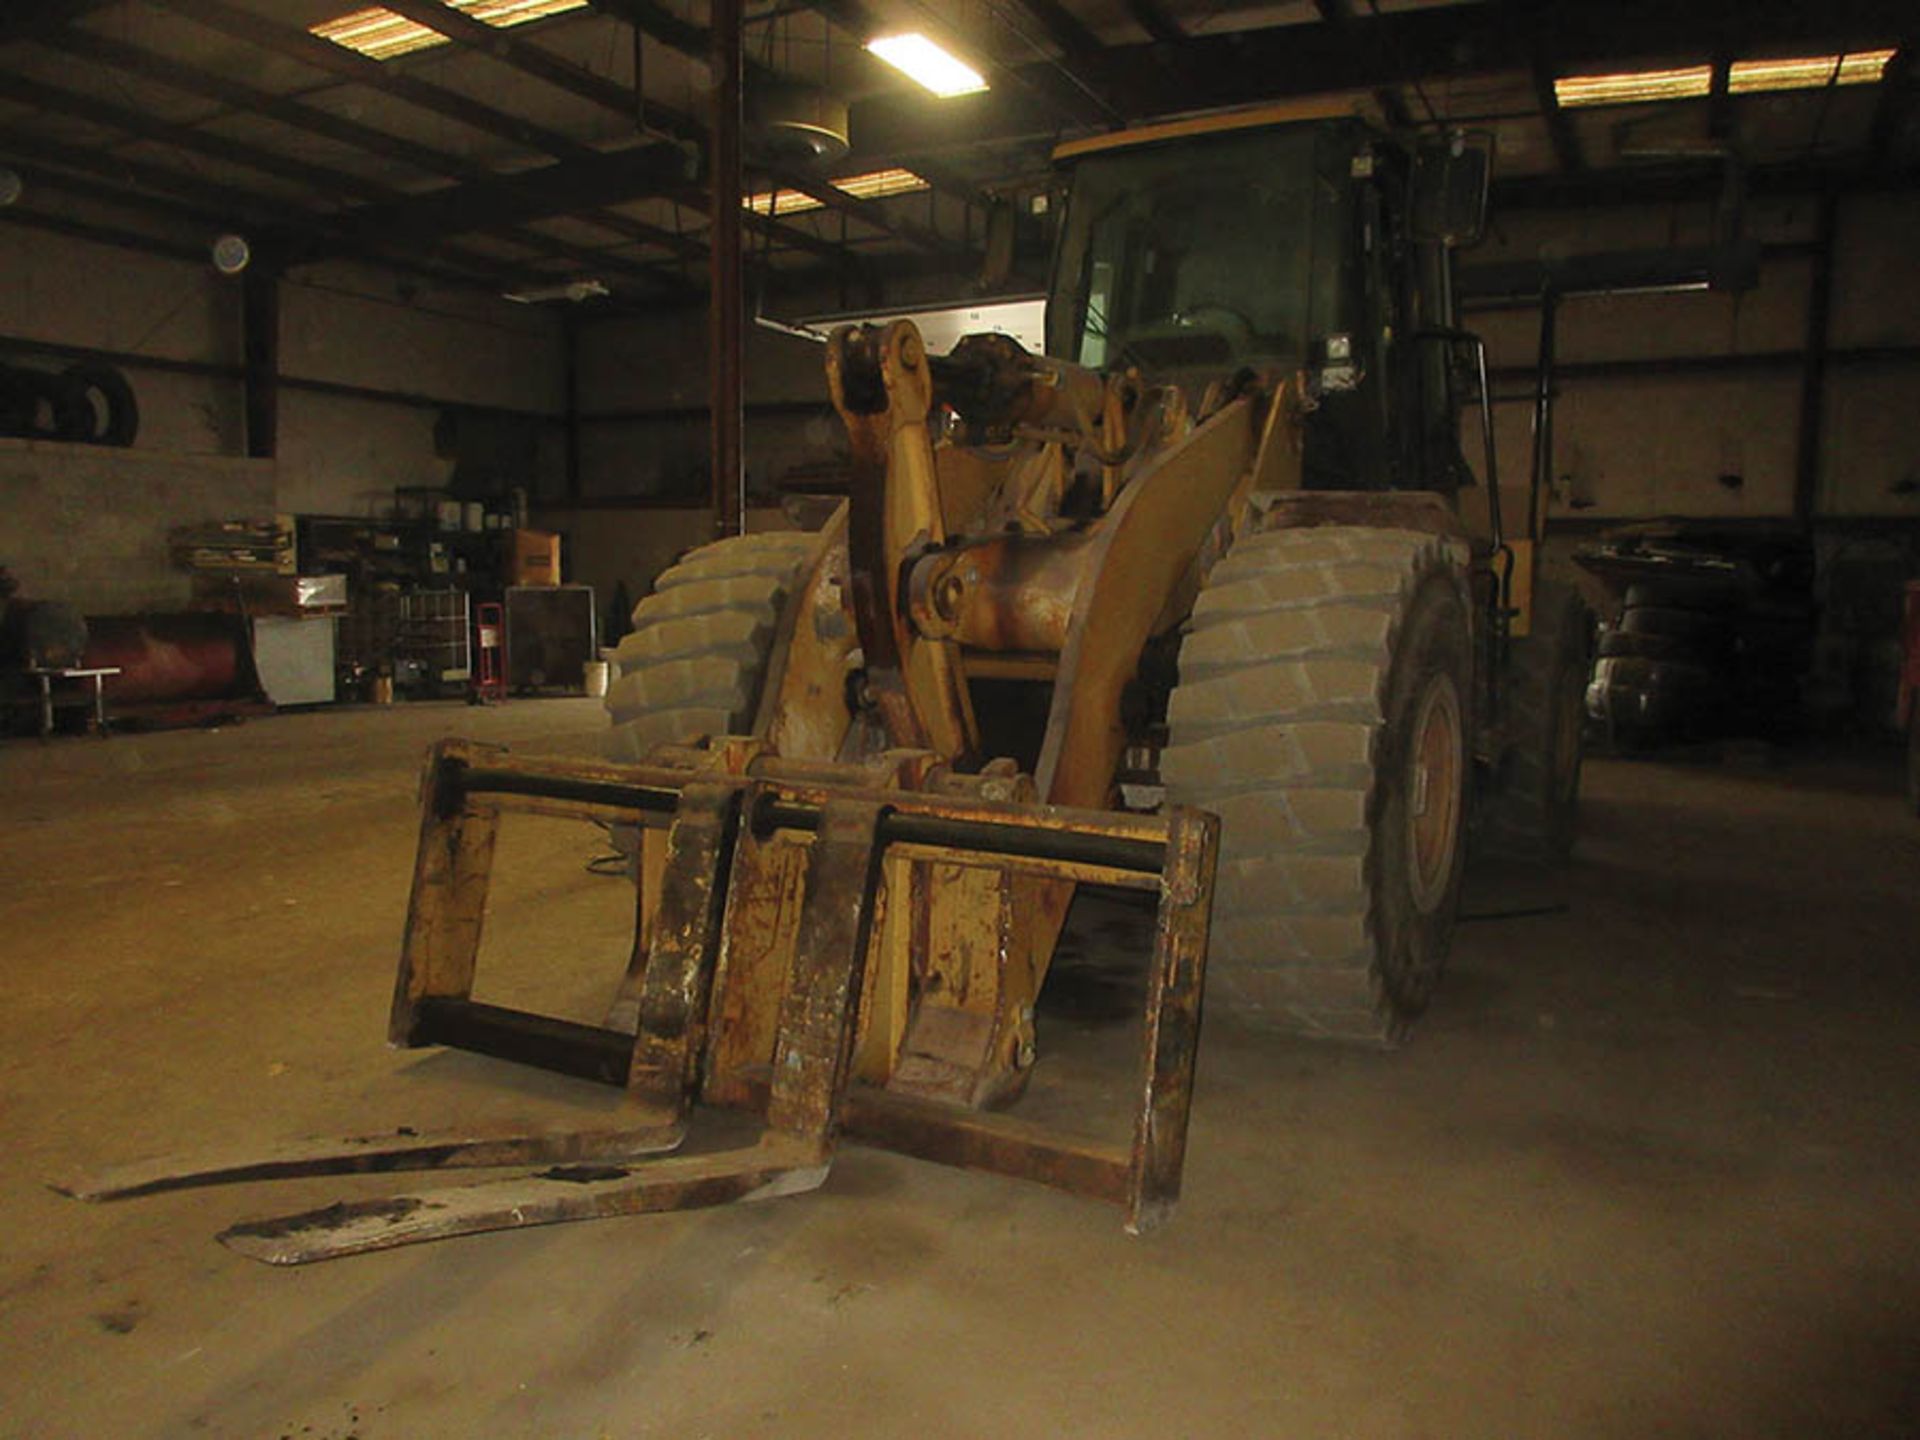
(1533,807)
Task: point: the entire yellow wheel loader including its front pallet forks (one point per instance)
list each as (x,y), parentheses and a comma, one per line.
(1199,602)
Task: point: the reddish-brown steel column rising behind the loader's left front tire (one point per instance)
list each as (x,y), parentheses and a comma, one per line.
(725,312)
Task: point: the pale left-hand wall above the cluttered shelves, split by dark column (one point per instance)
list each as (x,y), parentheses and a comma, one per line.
(404,345)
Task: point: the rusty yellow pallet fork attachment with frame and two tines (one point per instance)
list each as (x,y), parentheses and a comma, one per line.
(688,996)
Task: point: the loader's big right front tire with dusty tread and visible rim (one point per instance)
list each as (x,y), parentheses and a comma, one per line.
(1316,660)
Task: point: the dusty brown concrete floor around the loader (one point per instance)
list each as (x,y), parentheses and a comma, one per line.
(1648,1170)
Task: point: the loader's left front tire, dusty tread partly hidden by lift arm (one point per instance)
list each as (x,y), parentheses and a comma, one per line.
(698,654)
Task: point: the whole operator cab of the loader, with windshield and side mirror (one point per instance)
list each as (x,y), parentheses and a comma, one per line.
(1318,247)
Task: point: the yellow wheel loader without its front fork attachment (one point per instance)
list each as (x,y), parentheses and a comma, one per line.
(1207,550)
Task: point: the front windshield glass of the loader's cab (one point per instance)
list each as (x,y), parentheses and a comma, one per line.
(1188,256)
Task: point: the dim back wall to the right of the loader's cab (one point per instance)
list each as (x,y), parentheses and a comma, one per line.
(1633,446)
